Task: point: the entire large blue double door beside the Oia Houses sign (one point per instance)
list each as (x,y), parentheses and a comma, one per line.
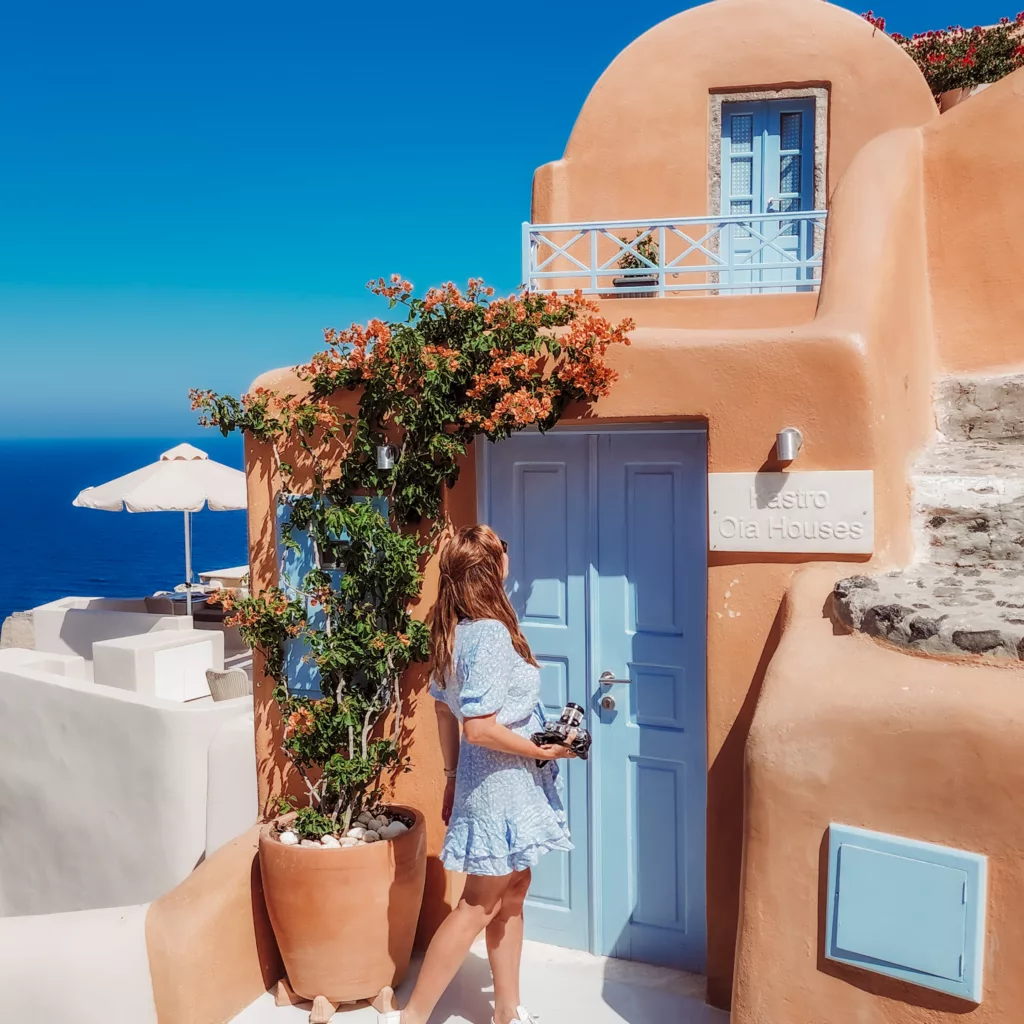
(608,574)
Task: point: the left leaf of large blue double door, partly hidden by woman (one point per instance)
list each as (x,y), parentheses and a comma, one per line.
(537,492)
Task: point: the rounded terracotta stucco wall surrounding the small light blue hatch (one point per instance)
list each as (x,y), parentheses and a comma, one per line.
(849,731)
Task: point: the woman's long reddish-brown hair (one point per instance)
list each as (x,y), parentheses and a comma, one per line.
(472,587)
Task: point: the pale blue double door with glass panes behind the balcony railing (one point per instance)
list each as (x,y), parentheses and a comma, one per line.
(769,167)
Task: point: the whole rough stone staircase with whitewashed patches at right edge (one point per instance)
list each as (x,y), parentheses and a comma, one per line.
(965,592)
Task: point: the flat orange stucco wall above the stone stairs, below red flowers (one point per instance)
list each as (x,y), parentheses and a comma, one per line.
(974,172)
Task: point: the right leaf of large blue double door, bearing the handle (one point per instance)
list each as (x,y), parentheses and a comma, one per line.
(653,763)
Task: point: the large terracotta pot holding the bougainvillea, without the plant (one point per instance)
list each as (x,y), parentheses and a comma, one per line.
(346,919)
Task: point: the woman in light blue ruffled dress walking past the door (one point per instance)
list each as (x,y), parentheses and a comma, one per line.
(502,810)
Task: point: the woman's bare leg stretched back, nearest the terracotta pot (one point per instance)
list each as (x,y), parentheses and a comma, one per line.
(481,902)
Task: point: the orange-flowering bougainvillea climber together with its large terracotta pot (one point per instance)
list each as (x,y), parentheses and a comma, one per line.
(344,872)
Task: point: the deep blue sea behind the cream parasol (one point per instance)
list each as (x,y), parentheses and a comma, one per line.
(51,549)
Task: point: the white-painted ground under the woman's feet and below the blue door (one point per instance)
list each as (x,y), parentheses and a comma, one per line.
(559,986)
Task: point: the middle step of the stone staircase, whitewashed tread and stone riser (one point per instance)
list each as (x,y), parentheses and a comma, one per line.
(969,502)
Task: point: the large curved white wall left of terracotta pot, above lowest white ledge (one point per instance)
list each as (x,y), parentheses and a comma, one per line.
(105,794)
